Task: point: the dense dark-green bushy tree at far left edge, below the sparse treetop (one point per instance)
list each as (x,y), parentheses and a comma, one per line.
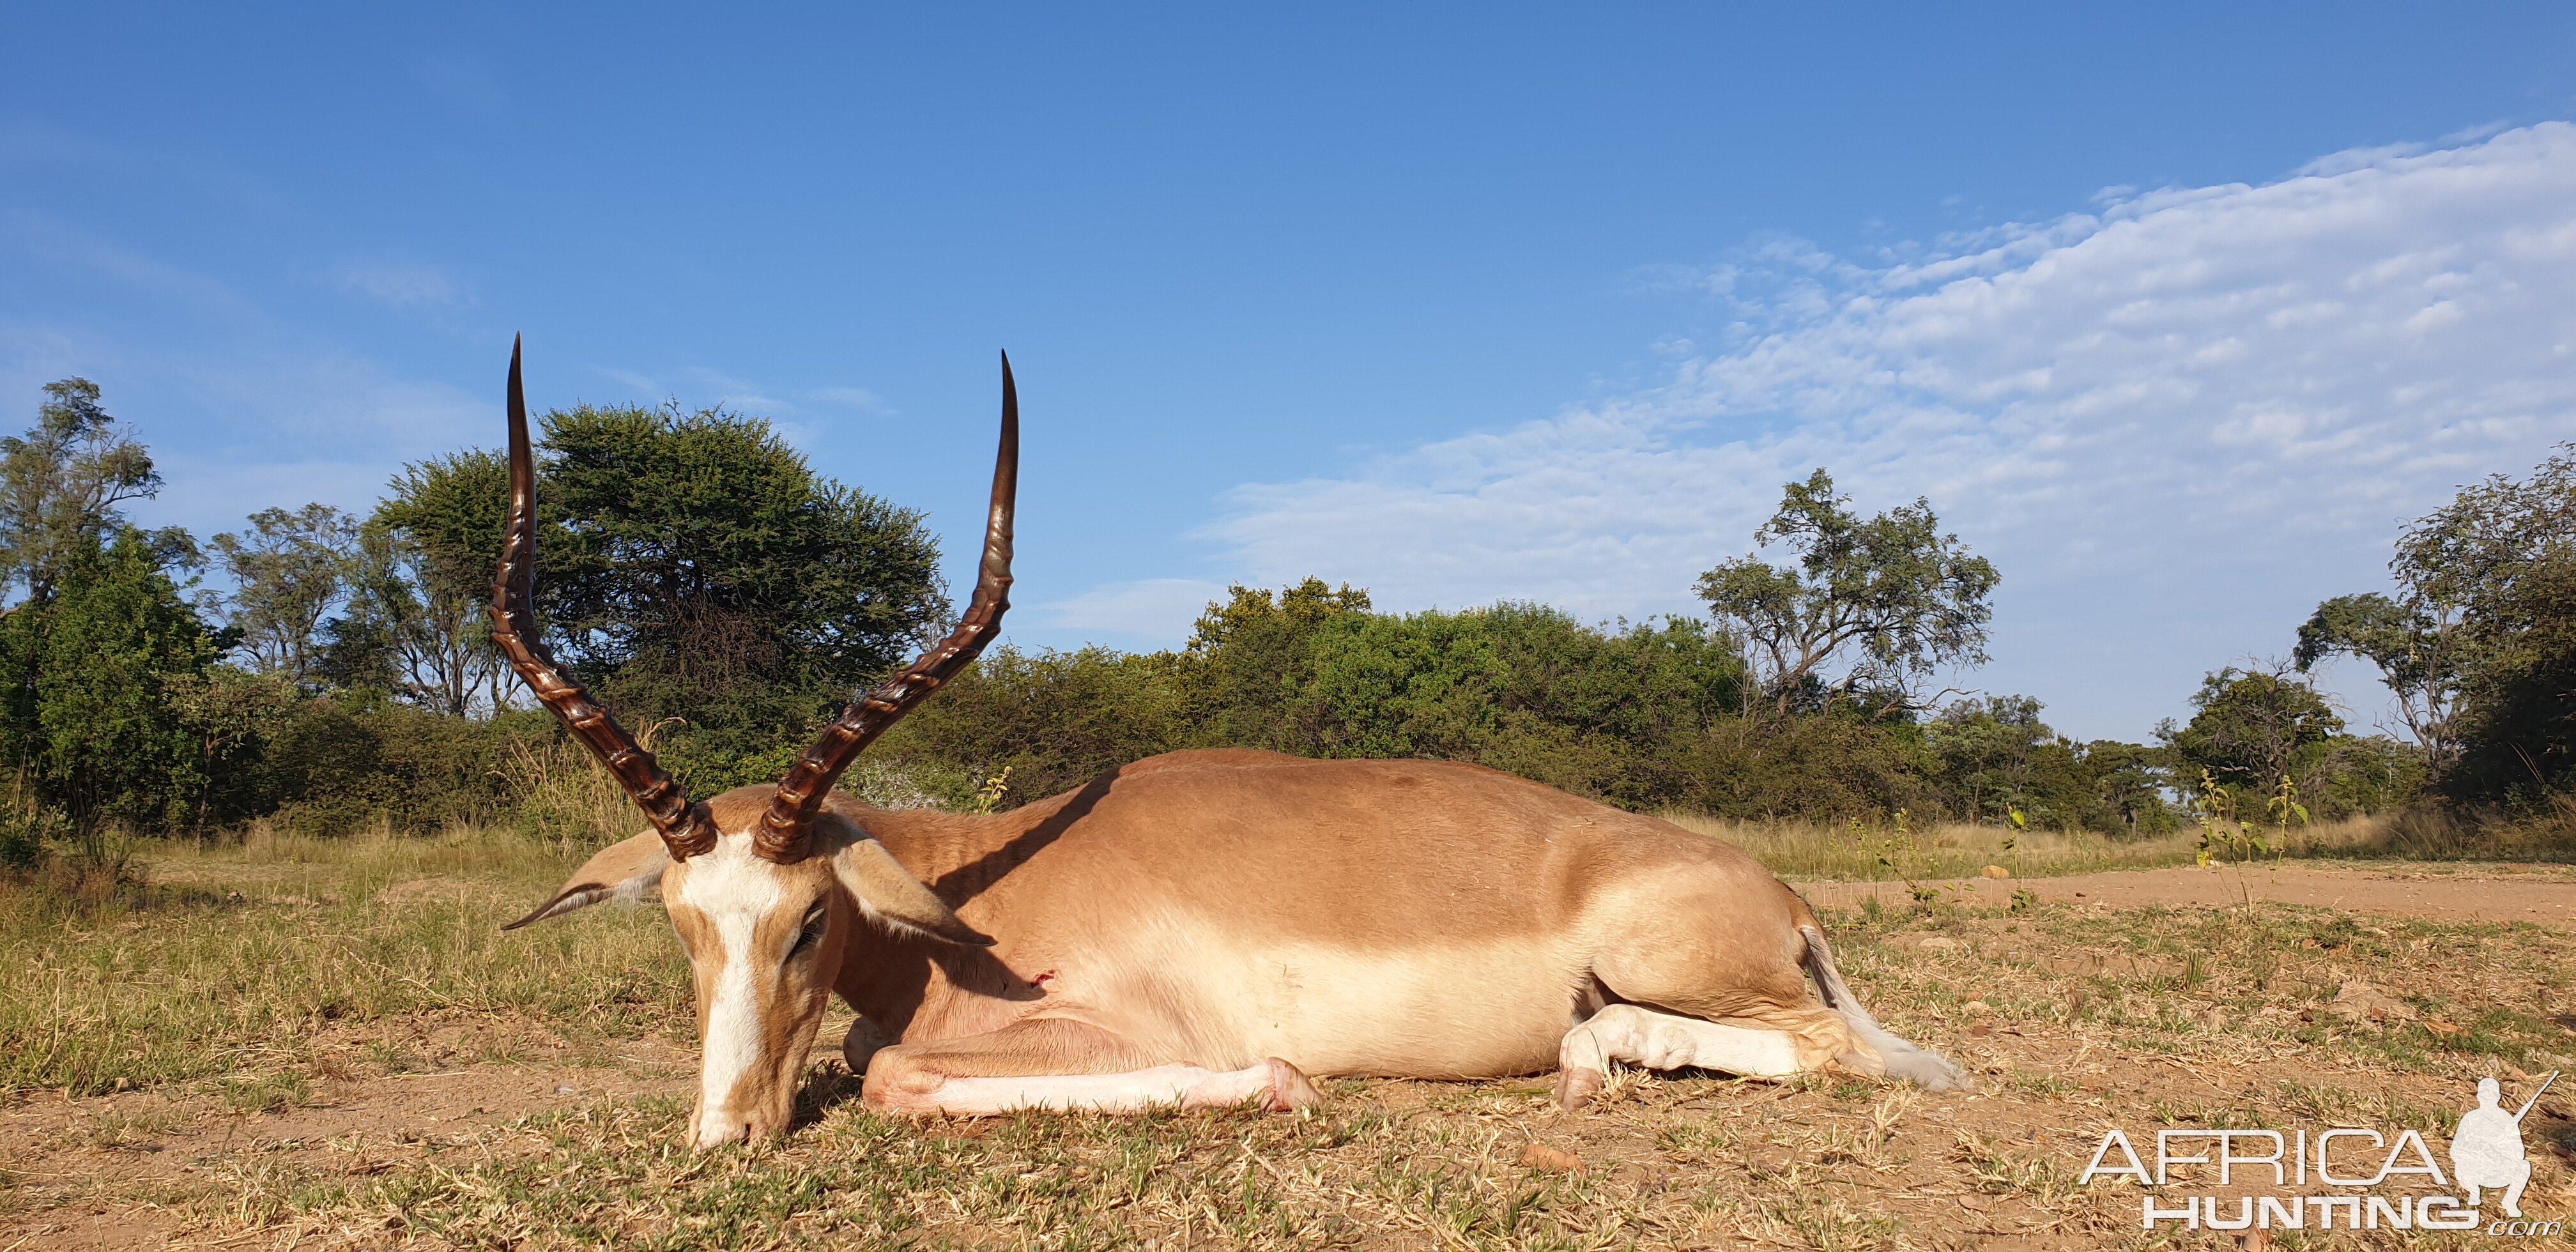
(89,717)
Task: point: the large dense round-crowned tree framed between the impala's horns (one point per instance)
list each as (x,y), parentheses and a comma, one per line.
(707,573)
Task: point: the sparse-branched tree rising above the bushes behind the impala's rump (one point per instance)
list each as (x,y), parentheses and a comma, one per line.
(1892,594)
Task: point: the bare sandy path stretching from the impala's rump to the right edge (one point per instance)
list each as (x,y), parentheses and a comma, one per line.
(2469,895)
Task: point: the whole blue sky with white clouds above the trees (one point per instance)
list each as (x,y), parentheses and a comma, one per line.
(2175,313)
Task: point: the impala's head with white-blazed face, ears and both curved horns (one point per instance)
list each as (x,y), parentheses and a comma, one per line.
(766,887)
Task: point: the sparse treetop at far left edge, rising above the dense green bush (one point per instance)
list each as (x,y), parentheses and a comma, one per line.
(61,486)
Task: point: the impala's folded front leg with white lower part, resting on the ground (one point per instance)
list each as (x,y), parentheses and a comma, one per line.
(1052,1063)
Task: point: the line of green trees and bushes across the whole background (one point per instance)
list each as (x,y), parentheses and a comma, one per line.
(710,583)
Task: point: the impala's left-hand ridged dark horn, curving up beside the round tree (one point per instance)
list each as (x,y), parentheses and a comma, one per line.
(684,826)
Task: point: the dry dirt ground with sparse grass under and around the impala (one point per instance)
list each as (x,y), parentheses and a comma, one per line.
(568,1145)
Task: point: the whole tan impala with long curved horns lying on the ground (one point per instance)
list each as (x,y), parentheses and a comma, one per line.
(1199,929)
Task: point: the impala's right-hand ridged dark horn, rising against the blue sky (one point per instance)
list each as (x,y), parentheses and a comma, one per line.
(782,833)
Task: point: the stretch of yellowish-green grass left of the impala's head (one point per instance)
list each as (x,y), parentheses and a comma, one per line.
(246,957)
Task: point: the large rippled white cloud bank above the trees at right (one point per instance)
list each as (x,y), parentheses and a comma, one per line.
(2175,421)
